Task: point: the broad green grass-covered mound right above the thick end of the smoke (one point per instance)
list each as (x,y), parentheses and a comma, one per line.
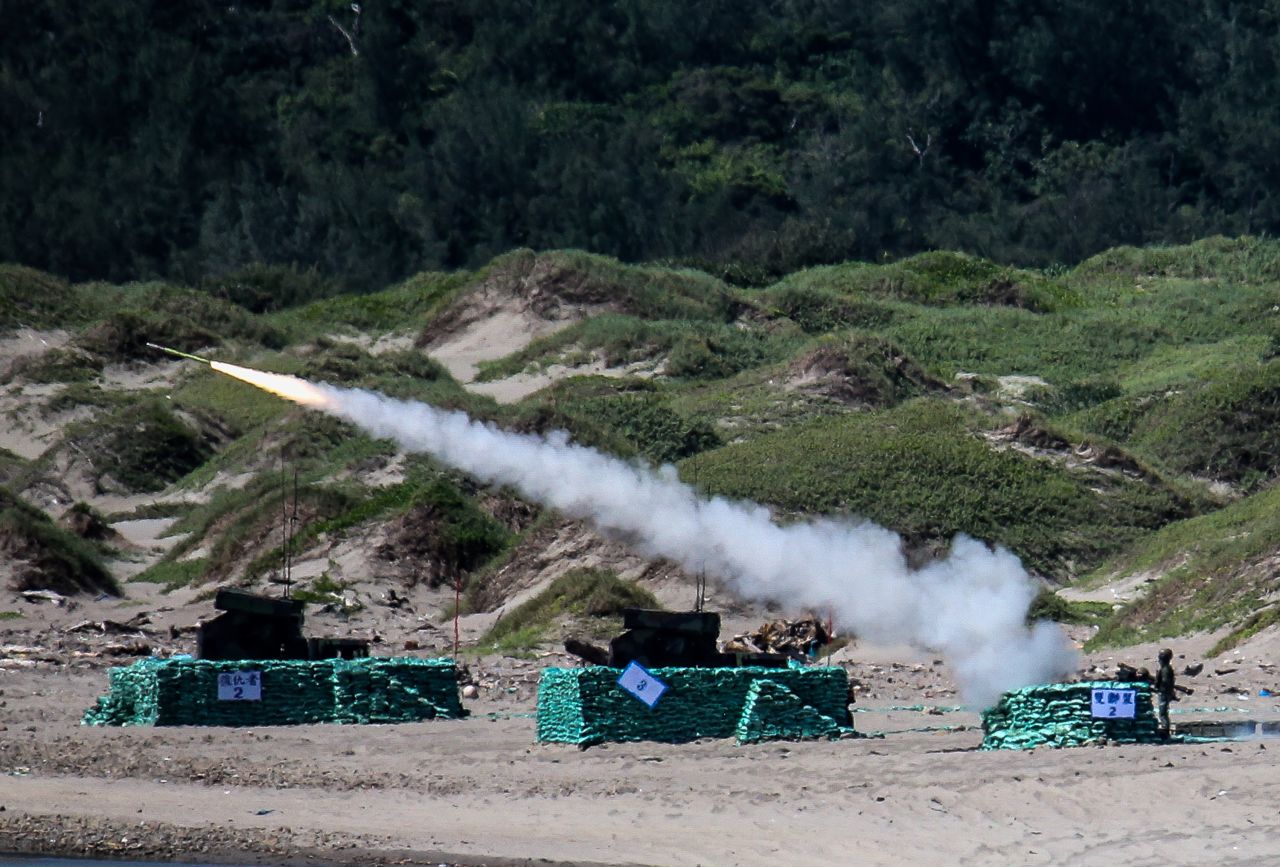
(924,471)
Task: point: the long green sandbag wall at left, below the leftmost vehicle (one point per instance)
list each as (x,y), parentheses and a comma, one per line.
(185,692)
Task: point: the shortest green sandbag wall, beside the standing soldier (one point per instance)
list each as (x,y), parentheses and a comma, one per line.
(1060,715)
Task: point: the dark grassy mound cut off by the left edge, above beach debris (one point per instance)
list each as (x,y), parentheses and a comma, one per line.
(47,558)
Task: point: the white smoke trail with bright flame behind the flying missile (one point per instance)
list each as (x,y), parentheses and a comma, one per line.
(971,606)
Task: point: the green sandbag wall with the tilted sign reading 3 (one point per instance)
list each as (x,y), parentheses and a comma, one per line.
(587,706)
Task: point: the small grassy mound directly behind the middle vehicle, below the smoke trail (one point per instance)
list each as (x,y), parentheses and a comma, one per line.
(578,594)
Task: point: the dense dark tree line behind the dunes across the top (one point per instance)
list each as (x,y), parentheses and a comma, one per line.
(371,140)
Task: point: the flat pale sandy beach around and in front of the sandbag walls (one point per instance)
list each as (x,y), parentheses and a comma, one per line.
(482,792)
